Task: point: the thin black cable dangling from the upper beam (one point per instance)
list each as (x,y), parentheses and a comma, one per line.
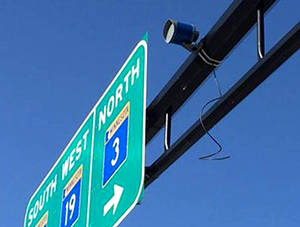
(211,156)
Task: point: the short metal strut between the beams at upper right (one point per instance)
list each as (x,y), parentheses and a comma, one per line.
(260,31)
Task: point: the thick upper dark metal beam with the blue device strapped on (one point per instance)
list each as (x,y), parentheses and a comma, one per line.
(233,25)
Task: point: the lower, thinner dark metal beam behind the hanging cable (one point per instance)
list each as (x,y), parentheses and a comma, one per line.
(252,79)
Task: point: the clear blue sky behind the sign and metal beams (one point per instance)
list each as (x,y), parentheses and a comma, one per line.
(58,57)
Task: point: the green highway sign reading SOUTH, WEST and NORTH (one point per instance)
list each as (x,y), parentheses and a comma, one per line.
(99,177)
